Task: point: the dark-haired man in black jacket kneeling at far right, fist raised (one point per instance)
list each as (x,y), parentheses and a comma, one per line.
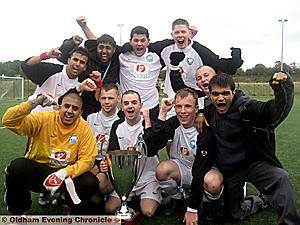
(244,136)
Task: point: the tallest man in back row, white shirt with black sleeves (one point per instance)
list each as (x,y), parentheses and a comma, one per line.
(196,55)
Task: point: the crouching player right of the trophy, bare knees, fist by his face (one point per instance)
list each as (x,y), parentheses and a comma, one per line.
(176,173)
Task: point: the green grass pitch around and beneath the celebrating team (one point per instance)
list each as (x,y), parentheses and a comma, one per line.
(288,142)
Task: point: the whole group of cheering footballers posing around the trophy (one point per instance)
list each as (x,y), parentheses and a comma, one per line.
(217,138)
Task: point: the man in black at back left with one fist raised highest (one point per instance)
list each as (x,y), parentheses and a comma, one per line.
(103,66)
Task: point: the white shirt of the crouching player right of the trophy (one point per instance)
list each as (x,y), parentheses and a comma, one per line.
(184,145)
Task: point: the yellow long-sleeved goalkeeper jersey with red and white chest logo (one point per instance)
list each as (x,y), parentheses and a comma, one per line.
(70,147)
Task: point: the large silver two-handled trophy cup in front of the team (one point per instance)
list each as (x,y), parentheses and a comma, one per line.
(126,168)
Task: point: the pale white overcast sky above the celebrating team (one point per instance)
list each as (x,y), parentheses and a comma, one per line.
(31,27)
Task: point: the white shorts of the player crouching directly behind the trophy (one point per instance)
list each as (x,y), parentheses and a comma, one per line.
(150,190)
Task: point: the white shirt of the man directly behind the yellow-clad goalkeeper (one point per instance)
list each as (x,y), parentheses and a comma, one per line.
(56,85)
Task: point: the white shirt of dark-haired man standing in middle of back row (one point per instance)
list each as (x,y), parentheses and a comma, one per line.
(140,74)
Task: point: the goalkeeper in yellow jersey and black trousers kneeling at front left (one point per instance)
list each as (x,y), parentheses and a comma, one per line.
(63,147)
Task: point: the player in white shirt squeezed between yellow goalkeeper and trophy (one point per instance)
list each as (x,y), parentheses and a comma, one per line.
(101,123)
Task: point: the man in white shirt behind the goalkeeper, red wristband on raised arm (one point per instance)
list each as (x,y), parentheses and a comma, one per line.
(62,78)
